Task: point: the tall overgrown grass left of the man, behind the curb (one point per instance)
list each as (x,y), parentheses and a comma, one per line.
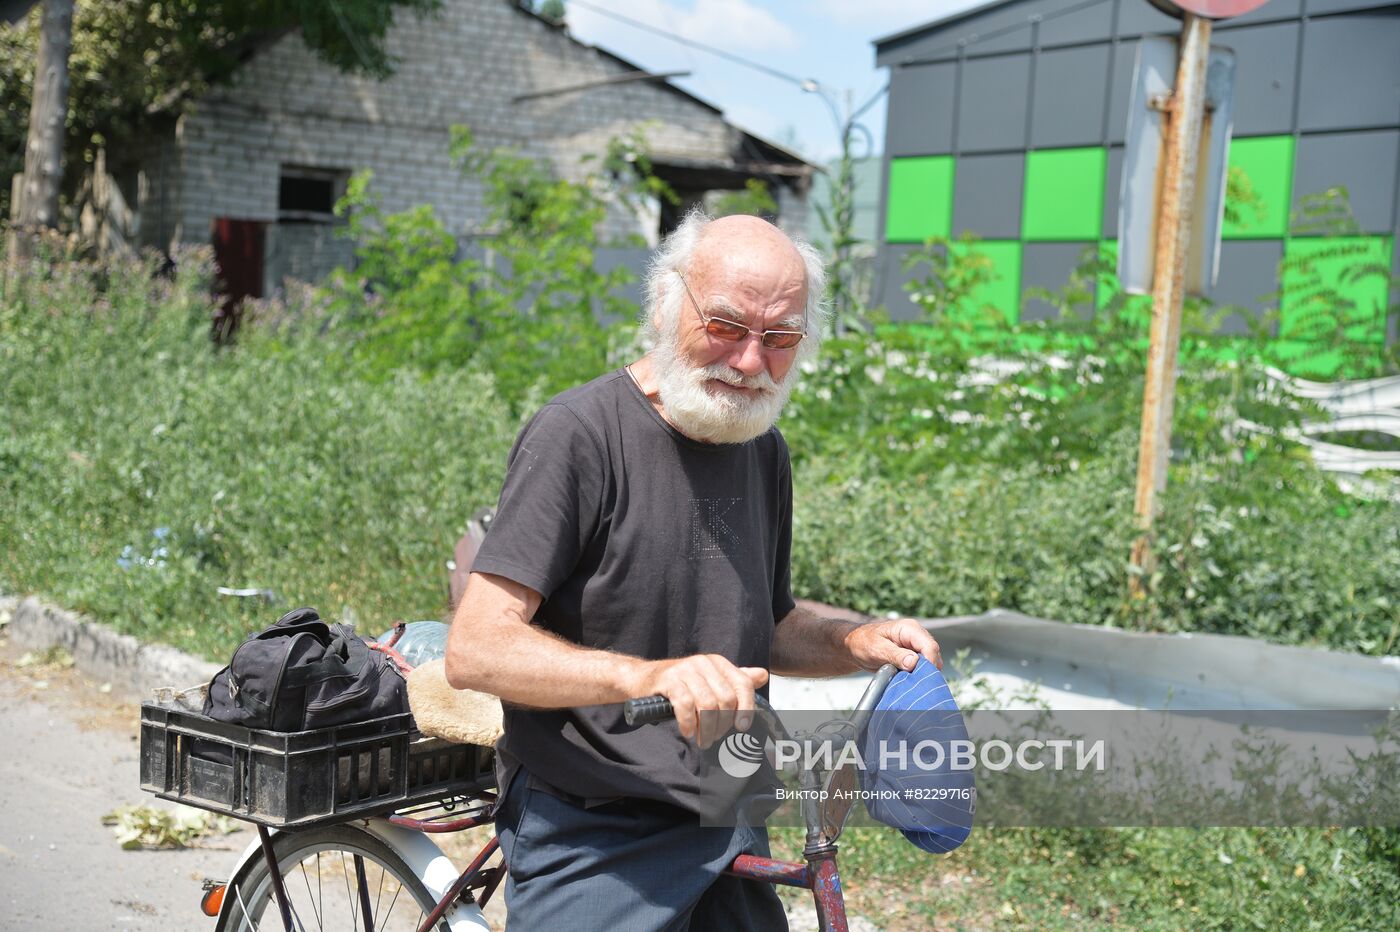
(129,440)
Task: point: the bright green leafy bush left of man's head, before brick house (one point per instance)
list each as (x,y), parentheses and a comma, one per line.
(526,303)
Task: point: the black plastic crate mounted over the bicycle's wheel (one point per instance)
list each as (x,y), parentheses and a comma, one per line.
(297,779)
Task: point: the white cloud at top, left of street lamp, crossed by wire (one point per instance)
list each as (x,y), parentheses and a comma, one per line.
(736,26)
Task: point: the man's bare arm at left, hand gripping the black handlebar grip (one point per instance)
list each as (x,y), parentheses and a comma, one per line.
(495,649)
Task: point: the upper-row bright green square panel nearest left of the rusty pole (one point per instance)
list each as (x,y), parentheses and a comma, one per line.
(1065,195)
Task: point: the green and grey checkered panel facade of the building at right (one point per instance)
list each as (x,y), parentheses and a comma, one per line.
(1009,122)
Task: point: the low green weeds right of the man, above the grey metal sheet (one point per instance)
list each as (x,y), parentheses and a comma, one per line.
(1266,549)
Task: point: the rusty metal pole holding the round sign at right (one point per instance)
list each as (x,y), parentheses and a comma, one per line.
(1185,113)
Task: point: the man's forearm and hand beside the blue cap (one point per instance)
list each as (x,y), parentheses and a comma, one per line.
(808,646)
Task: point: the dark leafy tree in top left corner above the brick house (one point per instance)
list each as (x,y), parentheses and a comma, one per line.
(134,59)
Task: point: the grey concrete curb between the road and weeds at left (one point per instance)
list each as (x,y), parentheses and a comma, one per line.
(100,653)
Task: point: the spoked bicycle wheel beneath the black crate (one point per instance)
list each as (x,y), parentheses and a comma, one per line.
(335,877)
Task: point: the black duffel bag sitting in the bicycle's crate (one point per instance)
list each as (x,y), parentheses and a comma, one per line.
(303,674)
